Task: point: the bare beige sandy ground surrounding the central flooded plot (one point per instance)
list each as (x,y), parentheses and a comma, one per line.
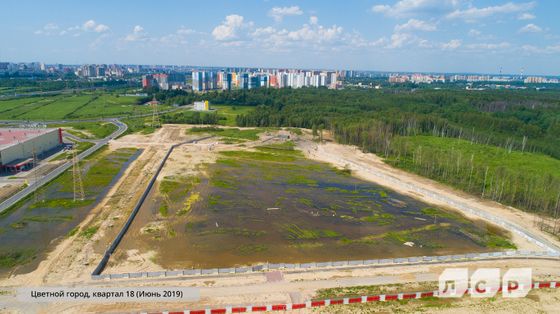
(74,258)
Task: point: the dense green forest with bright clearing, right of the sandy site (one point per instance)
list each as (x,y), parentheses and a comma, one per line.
(500,145)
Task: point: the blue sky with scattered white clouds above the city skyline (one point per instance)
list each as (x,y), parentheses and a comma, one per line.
(408,35)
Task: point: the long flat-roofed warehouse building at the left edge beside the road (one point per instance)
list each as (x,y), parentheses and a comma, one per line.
(18,145)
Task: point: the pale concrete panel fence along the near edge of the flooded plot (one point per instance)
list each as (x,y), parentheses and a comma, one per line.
(415,260)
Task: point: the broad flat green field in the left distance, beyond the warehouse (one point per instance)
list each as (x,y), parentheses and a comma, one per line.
(68,107)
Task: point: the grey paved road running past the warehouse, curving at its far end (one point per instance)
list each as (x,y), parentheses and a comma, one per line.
(121,128)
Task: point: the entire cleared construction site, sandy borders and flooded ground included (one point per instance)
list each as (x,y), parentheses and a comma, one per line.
(272,211)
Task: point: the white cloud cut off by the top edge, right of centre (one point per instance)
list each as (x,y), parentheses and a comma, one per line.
(405,8)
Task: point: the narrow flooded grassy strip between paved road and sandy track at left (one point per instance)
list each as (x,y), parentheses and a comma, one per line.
(32,229)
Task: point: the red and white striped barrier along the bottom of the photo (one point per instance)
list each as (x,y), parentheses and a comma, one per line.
(328,302)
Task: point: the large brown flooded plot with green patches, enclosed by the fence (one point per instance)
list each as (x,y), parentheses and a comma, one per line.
(258,211)
